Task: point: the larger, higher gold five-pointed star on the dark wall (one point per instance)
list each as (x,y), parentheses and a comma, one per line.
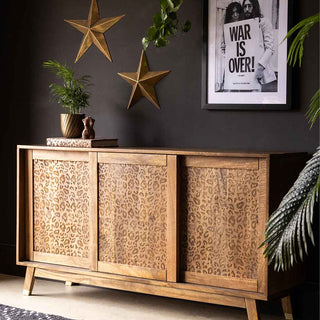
(93,30)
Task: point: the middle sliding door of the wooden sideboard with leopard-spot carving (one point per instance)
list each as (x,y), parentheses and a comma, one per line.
(132,219)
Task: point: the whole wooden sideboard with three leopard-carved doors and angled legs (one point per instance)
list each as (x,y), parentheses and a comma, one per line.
(176,223)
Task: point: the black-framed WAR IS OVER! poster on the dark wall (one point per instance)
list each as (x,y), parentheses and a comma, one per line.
(244,63)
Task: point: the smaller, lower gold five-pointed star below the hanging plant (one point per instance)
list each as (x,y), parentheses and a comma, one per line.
(143,82)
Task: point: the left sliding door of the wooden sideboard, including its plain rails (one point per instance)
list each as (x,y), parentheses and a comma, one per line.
(58,207)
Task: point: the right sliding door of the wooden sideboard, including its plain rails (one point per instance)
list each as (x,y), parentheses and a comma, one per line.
(223,214)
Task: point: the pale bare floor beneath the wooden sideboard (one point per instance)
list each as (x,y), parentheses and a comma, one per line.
(87,303)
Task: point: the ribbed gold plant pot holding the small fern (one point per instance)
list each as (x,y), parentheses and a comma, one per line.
(71,125)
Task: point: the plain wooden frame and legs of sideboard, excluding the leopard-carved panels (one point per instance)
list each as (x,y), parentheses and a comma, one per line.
(171,282)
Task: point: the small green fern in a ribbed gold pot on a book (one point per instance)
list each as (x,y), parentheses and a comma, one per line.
(72,95)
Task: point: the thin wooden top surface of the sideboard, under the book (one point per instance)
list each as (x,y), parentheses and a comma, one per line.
(169,151)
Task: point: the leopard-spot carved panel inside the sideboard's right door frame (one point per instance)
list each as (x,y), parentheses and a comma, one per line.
(219,220)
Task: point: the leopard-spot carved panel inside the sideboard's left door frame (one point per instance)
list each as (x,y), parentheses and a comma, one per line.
(61,207)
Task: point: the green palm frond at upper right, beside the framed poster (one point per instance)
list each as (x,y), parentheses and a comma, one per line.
(296,49)
